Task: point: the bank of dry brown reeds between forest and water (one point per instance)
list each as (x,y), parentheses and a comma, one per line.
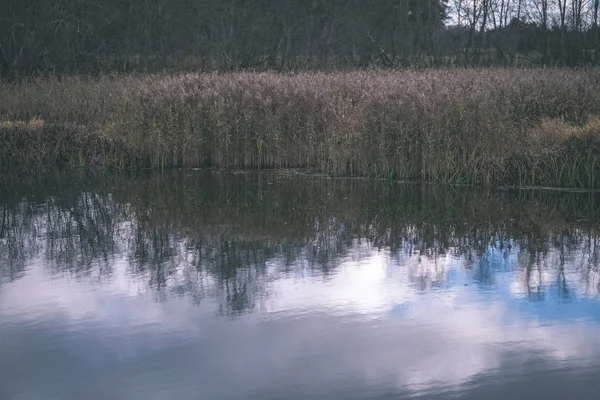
(495,126)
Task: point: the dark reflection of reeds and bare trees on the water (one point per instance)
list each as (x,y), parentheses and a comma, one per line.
(226,236)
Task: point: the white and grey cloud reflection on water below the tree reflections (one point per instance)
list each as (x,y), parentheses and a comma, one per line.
(409,327)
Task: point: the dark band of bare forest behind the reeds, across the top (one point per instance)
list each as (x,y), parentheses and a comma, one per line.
(90,36)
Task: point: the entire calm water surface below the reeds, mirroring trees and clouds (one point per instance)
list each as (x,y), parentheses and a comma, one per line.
(276,285)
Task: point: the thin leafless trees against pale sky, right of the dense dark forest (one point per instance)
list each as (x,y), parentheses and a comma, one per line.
(547,32)
